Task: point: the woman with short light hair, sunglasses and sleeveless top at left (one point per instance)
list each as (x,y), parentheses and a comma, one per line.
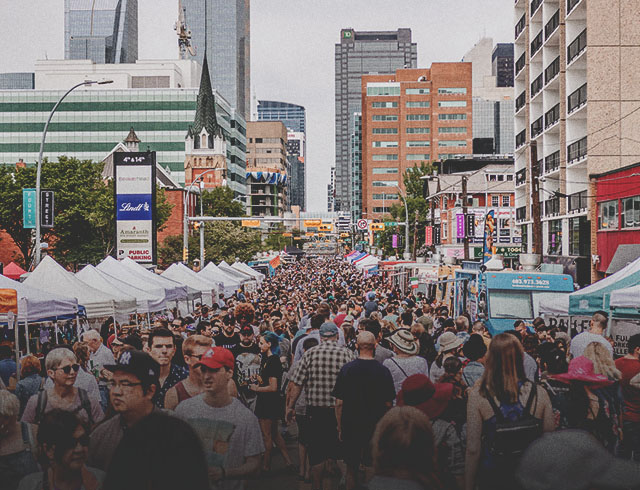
(62,368)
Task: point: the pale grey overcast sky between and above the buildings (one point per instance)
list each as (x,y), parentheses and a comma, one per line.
(292,48)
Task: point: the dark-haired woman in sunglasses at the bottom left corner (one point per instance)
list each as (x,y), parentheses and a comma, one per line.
(63,443)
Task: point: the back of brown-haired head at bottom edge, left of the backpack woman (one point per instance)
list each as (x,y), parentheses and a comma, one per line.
(403,452)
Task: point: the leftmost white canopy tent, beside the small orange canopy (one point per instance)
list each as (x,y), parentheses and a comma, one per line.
(36,304)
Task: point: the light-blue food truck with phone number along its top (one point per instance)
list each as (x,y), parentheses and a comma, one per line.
(499,298)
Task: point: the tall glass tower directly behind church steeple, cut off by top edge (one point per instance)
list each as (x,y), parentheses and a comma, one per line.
(227,45)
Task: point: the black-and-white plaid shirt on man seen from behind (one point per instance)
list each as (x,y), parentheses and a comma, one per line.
(318,370)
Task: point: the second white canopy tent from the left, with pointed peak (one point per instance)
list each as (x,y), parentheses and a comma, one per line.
(52,276)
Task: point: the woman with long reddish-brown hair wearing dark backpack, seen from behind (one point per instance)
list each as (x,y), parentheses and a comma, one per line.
(505,413)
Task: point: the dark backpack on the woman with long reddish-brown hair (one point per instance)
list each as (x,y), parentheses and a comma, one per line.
(512,437)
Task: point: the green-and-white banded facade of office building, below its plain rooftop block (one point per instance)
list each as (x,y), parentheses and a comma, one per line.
(89,123)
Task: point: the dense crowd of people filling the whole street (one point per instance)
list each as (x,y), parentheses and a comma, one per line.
(382,388)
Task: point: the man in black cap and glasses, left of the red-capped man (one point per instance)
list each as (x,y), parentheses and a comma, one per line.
(131,390)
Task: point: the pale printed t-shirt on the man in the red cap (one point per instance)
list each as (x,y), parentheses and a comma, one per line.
(229,434)
